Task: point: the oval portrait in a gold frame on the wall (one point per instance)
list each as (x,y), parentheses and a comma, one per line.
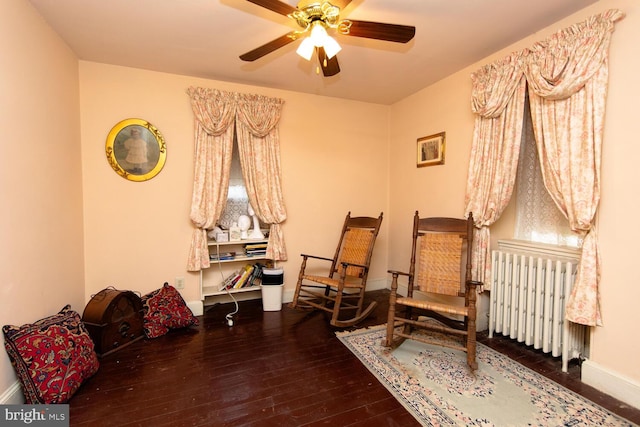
(136,150)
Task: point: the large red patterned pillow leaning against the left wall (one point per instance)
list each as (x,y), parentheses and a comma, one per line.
(52,357)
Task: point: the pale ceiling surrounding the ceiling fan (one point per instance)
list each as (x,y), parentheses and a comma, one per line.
(203,38)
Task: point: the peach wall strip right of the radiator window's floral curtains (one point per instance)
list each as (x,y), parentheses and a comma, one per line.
(612,345)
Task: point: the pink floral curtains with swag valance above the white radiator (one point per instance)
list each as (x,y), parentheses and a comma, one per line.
(566,76)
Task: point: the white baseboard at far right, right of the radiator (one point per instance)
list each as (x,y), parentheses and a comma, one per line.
(611,383)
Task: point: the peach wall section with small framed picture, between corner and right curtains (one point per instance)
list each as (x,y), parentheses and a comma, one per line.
(432,190)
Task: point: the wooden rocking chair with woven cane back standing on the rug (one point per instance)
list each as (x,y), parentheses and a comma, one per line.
(440,253)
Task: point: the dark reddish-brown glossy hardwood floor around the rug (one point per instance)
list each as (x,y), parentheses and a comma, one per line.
(283,368)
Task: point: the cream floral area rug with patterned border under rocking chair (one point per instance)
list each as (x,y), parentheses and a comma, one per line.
(435,385)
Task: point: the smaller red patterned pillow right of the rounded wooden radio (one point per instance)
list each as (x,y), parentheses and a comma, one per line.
(165,309)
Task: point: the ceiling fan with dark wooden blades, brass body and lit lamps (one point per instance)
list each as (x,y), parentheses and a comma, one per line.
(315,18)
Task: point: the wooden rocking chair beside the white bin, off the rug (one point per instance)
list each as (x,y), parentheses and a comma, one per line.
(340,290)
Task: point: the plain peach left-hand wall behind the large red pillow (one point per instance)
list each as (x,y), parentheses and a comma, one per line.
(41,242)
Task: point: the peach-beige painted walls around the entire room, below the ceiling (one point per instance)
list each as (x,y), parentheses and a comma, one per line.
(136,235)
